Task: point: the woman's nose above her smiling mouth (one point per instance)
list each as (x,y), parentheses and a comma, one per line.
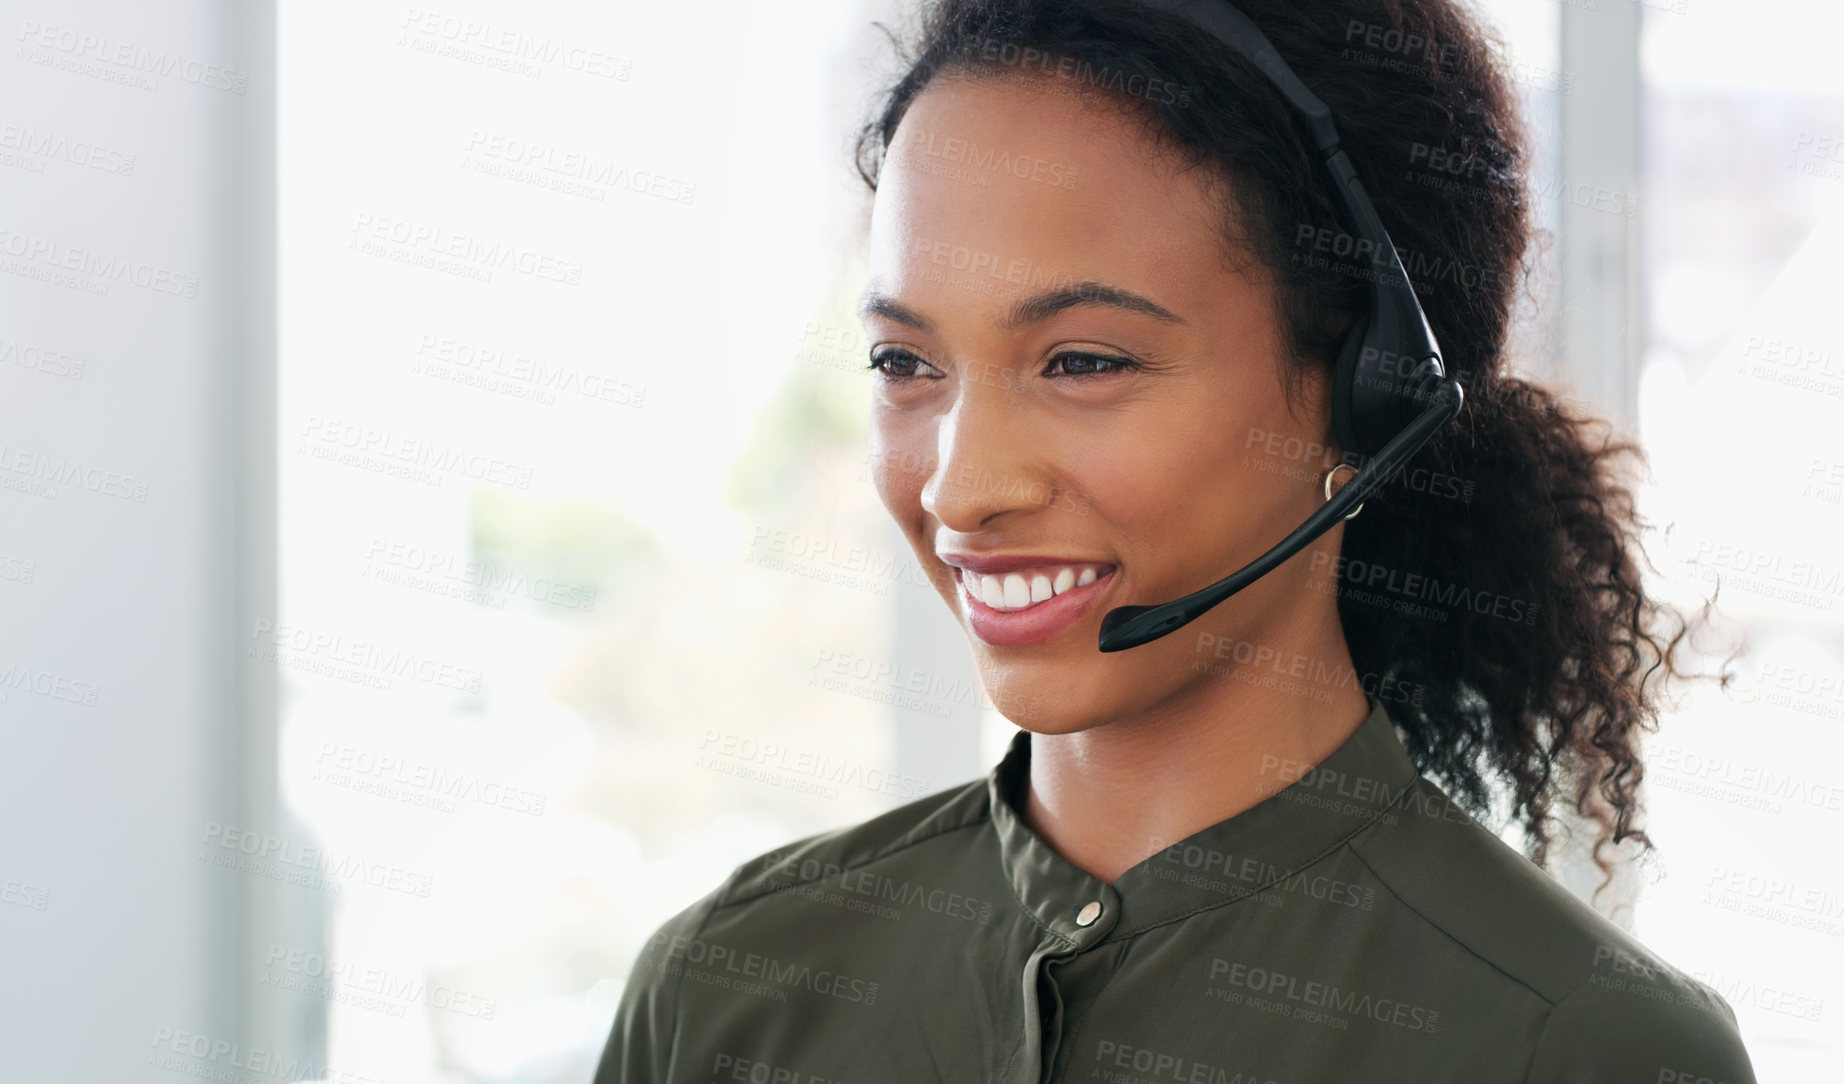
(987,462)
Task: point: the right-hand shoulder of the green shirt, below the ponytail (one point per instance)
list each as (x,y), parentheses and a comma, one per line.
(1618,1011)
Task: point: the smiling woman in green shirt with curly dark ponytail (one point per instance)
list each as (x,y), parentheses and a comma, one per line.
(1107,289)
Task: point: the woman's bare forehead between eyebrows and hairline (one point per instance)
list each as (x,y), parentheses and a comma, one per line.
(1024,185)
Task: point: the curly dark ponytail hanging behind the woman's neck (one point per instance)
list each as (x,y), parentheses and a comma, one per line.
(1531,642)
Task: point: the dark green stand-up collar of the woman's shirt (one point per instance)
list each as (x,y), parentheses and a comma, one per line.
(1251,853)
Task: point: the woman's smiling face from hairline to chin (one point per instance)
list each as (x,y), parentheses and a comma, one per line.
(1074,373)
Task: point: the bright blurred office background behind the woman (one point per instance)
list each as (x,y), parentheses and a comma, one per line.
(436,541)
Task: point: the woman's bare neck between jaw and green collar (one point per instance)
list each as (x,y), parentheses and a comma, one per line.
(1113,795)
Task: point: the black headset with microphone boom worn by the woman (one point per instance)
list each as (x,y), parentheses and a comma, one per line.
(1389,390)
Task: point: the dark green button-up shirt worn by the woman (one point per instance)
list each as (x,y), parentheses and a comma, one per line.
(1354,926)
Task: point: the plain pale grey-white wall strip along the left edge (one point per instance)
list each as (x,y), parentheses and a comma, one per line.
(136,462)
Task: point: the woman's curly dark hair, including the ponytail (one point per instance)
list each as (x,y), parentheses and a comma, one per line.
(1552,703)
